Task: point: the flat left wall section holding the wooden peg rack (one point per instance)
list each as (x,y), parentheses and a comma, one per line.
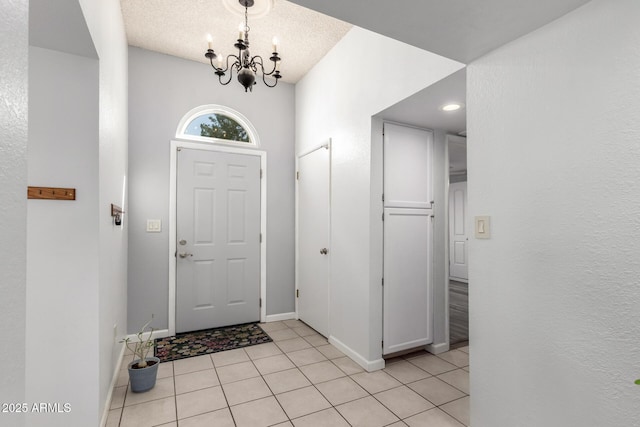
(62,236)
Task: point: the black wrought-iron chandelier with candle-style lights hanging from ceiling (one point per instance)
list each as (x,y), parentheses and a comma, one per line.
(244,65)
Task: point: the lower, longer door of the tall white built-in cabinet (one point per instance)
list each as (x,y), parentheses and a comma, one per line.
(407,288)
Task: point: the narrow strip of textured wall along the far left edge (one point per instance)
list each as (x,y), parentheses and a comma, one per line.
(14,37)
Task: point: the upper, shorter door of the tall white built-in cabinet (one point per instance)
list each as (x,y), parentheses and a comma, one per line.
(407,167)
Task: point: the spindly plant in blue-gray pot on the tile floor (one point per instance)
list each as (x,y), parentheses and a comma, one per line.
(144,369)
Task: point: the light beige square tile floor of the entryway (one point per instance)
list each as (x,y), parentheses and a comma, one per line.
(298,380)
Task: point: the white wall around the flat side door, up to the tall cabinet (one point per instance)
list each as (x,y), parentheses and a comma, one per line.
(337,99)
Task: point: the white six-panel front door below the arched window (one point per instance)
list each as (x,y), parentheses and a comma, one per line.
(218,235)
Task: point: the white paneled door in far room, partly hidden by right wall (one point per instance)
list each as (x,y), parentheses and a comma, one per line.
(458,232)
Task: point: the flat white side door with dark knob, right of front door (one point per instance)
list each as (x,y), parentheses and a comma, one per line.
(313,239)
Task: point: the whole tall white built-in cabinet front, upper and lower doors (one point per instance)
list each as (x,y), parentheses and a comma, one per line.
(408,236)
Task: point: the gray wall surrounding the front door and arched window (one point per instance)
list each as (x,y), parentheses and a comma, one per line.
(162,89)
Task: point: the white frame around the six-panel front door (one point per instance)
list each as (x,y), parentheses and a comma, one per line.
(173,176)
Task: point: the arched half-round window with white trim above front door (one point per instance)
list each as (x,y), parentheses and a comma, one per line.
(217,124)
